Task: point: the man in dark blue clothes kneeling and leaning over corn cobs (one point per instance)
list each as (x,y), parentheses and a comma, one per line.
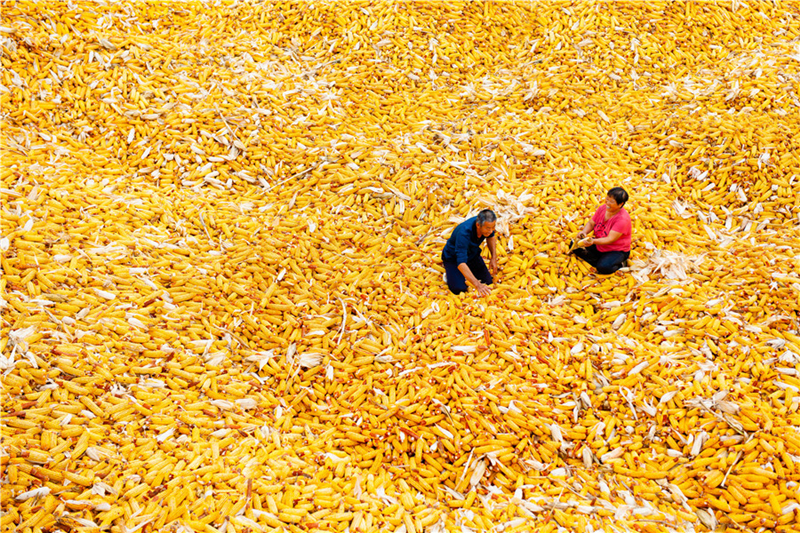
(462,254)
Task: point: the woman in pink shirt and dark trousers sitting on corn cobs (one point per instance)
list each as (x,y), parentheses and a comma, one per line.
(610,248)
